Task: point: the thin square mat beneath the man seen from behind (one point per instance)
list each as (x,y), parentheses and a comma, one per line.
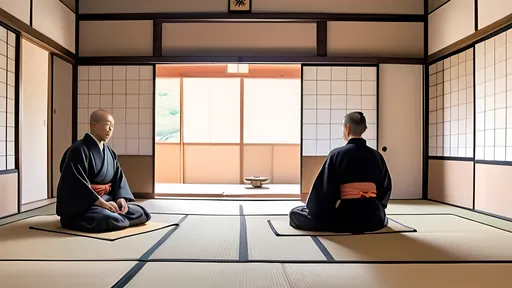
(282,228)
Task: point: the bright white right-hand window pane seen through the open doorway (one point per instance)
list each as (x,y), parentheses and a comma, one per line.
(272,111)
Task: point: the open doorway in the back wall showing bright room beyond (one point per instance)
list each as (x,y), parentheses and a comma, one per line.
(217,124)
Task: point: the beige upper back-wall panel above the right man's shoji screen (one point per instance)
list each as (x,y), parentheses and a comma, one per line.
(375,39)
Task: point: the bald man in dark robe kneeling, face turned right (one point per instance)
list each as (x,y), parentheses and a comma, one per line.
(92,193)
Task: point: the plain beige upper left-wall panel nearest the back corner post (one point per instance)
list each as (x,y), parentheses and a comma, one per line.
(56,21)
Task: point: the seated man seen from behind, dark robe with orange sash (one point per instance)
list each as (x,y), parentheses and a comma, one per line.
(352,189)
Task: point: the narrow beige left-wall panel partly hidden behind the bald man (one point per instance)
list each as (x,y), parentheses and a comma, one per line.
(62,129)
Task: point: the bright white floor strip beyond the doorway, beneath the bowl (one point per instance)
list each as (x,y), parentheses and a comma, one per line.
(227,190)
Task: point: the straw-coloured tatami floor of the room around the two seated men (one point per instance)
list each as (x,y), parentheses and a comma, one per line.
(221,243)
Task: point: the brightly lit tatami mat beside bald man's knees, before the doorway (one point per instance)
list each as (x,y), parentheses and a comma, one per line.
(192,206)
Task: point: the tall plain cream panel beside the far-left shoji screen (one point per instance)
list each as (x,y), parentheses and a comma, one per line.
(34,122)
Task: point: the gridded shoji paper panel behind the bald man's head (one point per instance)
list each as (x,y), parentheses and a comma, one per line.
(127,93)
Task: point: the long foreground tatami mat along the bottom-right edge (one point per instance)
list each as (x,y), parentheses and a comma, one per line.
(398,275)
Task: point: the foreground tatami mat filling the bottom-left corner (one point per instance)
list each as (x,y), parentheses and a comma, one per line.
(62,274)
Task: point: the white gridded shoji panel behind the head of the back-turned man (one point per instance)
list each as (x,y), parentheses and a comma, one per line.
(328,94)
